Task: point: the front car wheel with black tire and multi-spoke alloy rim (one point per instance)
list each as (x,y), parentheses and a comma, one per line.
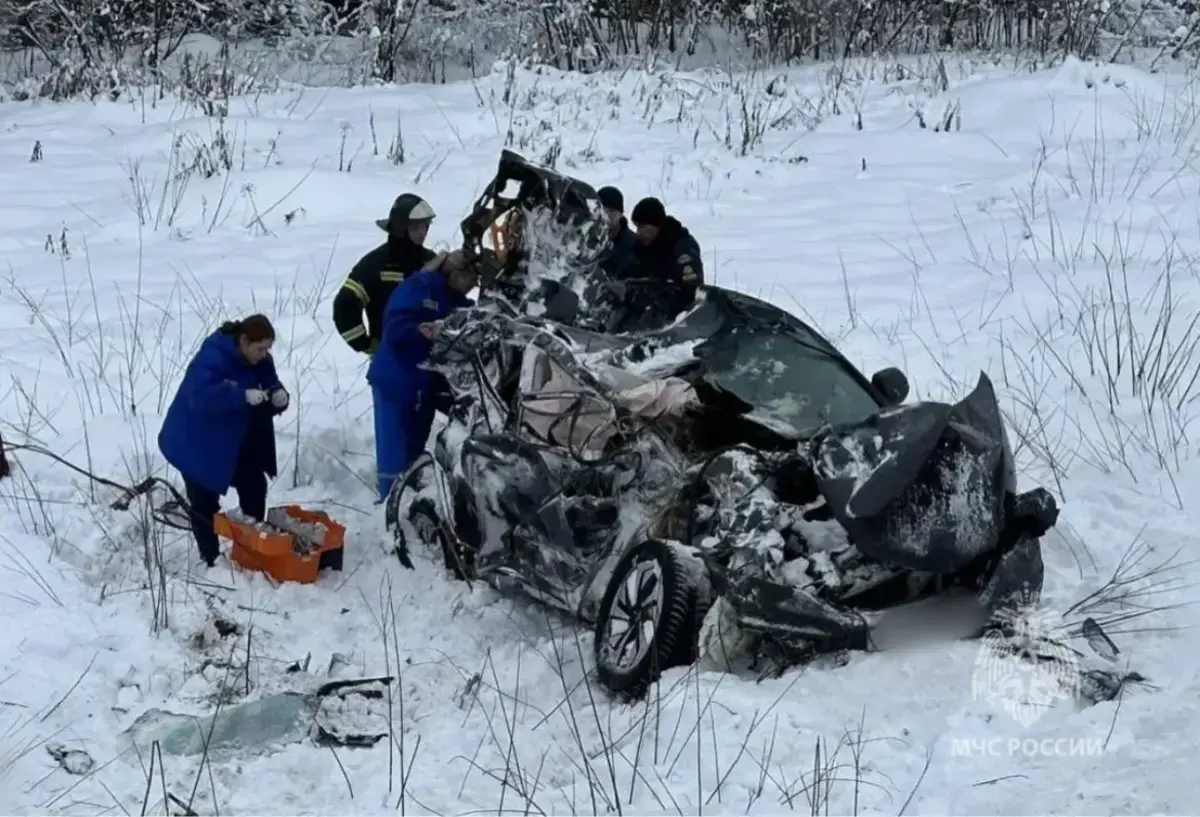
(657,584)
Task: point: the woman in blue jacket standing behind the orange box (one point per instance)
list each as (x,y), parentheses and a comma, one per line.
(220,429)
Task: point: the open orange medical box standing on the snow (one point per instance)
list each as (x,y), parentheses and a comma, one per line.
(293,544)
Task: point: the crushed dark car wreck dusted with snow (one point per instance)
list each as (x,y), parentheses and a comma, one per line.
(725,476)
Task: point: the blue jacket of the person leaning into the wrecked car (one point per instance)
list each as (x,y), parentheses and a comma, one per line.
(395,369)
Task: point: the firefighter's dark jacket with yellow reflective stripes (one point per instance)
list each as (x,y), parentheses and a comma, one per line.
(370,285)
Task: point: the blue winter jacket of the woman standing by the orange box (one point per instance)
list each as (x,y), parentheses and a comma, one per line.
(211,425)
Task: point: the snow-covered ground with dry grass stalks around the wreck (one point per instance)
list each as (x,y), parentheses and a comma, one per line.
(1049,238)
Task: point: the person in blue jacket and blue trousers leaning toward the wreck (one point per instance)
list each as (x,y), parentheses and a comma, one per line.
(401,391)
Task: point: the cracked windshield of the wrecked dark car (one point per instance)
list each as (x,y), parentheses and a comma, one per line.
(787,381)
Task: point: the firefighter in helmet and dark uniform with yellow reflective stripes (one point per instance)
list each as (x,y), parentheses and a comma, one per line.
(371,283)
